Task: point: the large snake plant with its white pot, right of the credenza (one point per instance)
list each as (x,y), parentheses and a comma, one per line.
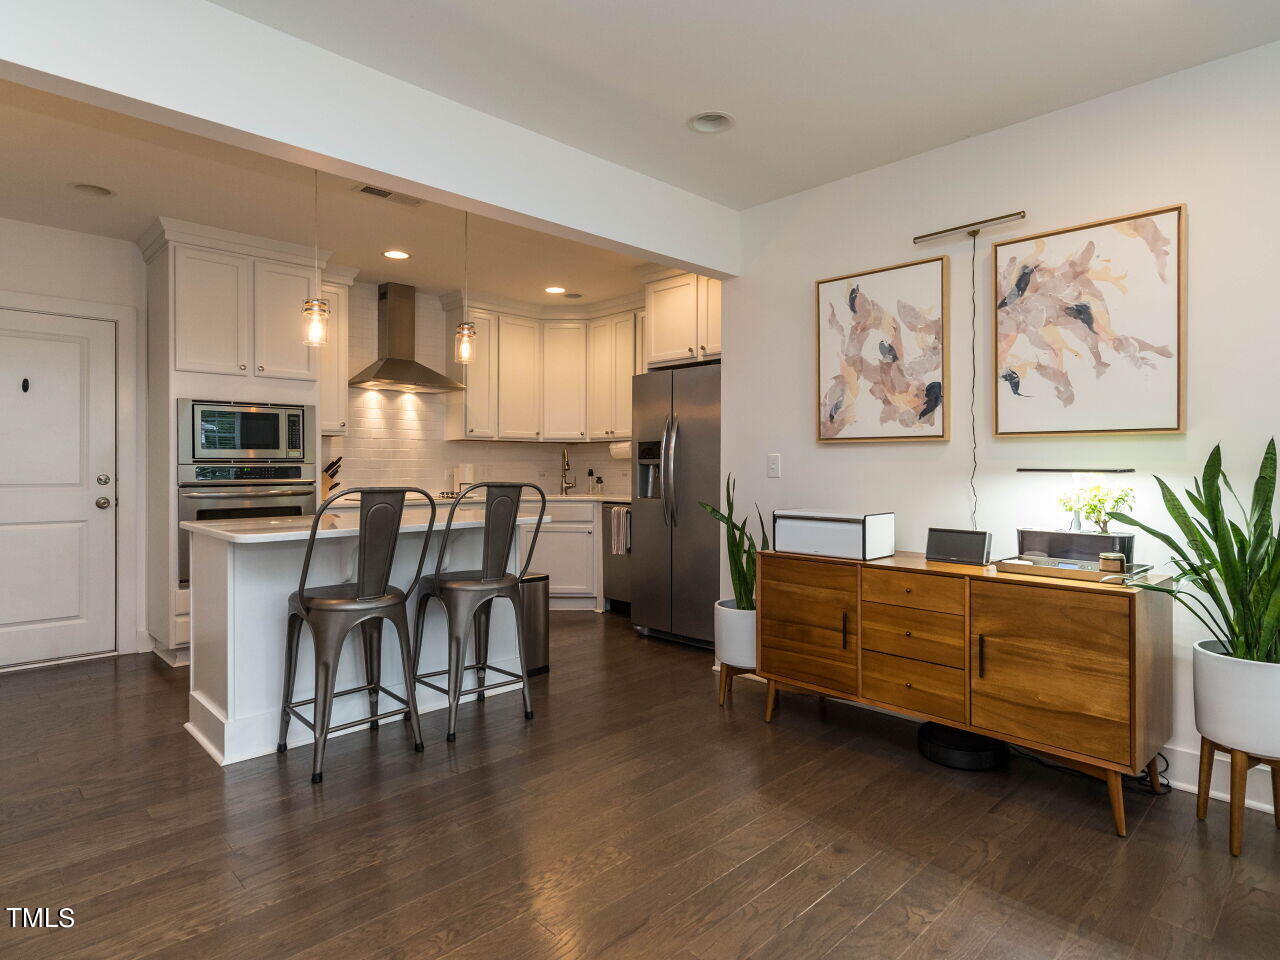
(1229,579)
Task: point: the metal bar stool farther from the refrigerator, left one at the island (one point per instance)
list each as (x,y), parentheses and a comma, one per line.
(332,612)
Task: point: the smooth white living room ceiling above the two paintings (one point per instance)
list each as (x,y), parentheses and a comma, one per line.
(821,89)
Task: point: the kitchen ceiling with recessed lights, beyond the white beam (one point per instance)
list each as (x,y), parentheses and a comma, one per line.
(52,143)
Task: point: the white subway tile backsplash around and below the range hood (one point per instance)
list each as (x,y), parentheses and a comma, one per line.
(399,438)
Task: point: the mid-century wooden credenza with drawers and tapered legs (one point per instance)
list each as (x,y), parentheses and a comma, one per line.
(1073,670)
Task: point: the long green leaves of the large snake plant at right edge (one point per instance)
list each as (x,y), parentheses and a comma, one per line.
(1235,569)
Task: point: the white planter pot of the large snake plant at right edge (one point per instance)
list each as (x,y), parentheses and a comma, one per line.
(1237,702)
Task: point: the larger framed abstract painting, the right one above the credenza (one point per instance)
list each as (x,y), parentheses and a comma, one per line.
(1090,328)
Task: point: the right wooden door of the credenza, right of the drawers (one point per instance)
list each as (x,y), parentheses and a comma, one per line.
(1052,668)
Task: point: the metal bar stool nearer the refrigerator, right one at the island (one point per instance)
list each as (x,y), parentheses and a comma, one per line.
(469,595)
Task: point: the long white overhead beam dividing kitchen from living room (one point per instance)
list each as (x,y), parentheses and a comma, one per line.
(268,92)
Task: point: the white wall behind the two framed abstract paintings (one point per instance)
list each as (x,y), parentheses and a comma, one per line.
(1206,138)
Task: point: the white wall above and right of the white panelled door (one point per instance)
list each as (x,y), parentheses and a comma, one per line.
(71,266)
